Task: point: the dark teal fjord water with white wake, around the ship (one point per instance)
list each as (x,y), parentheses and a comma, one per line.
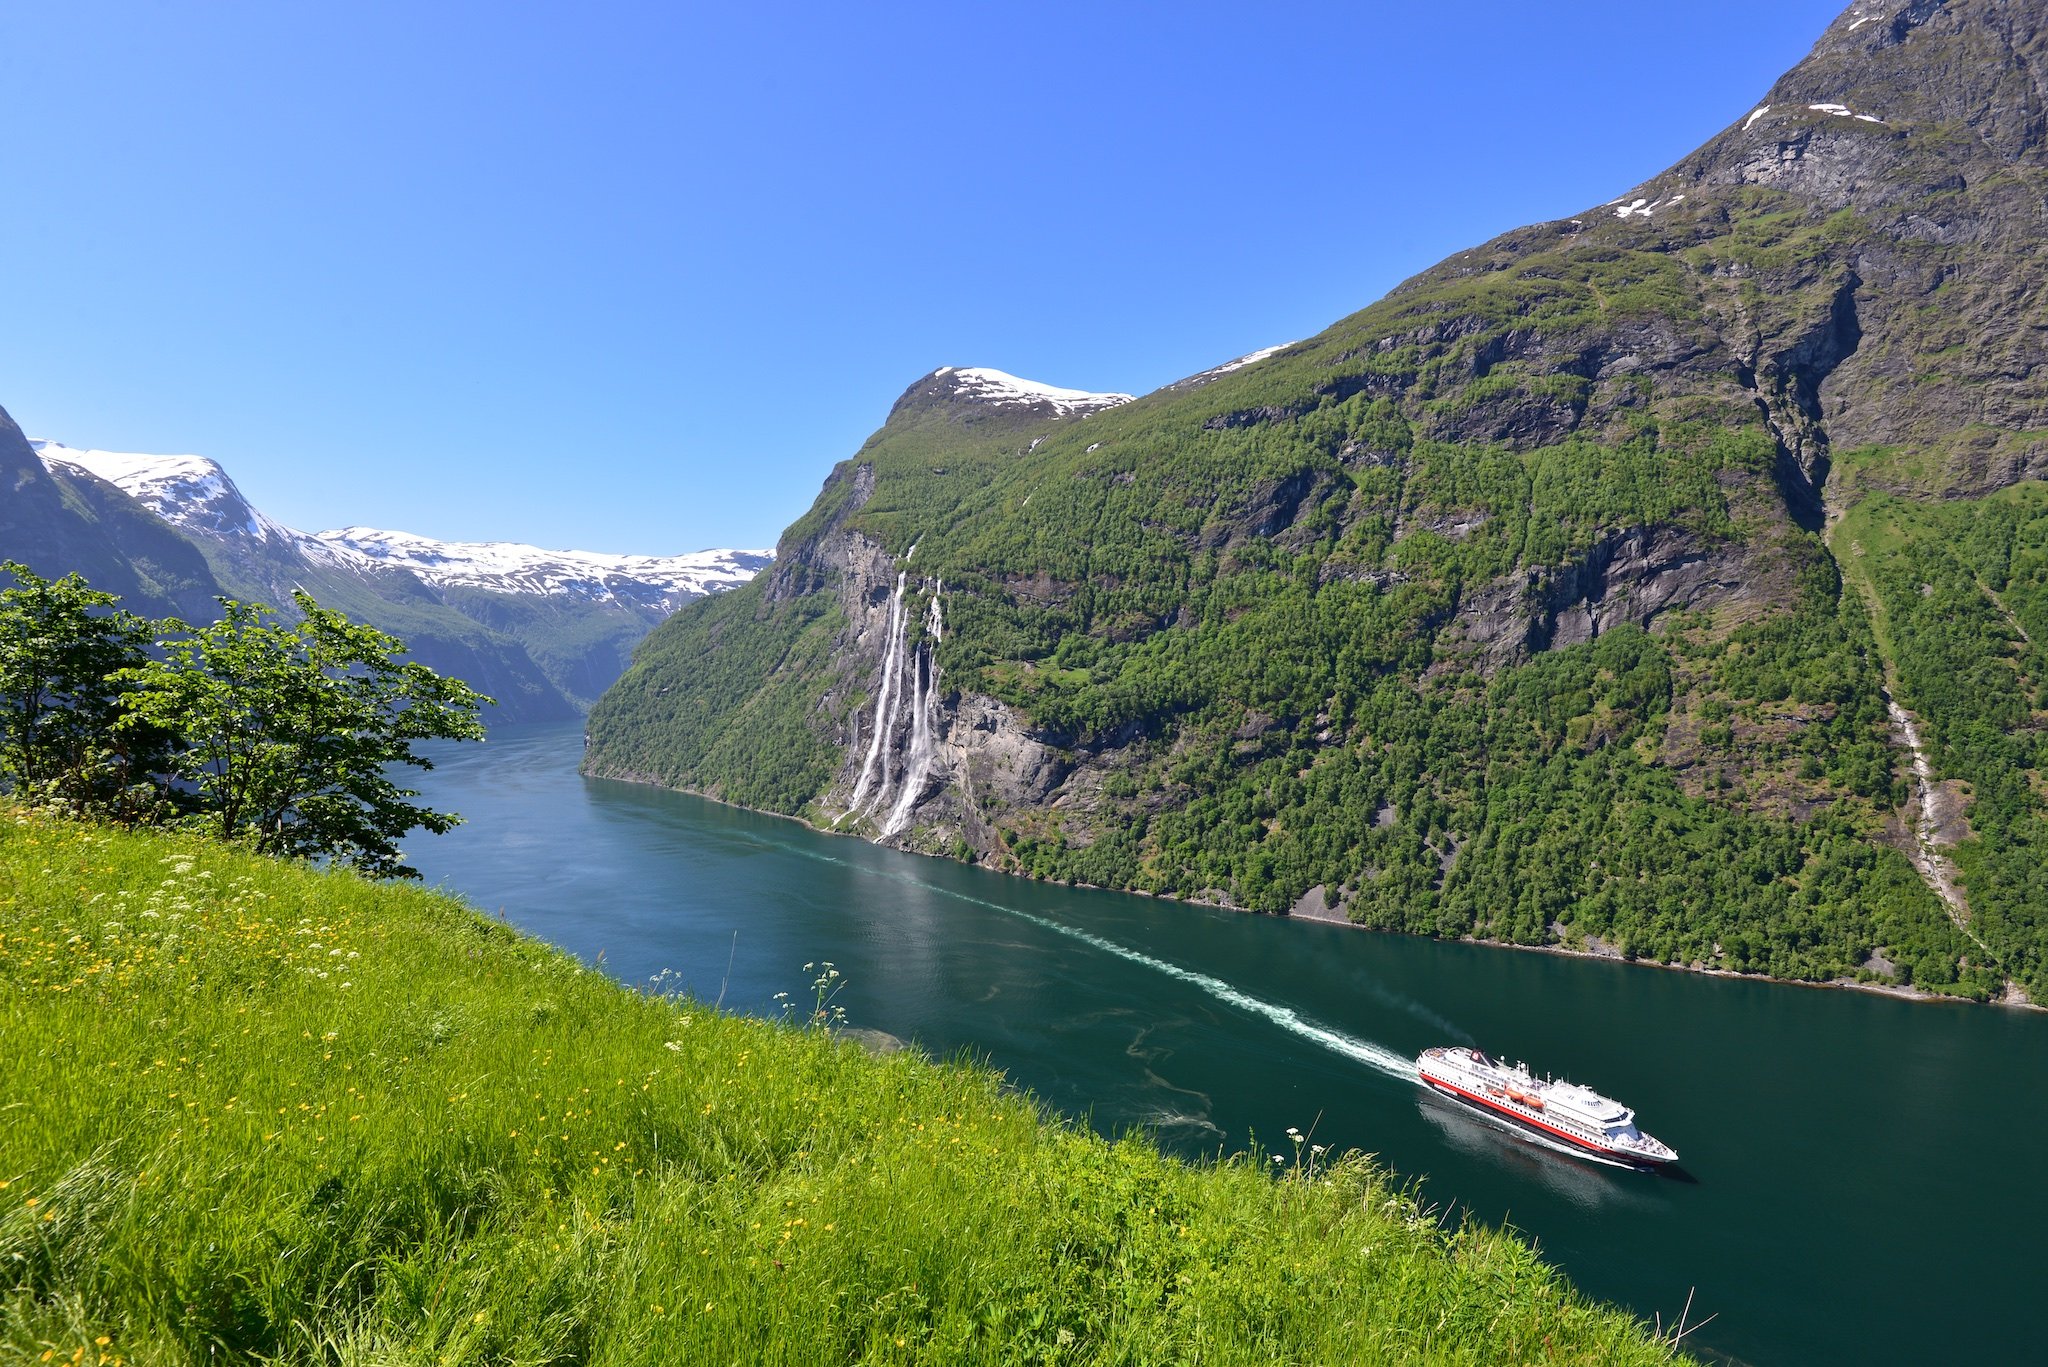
(1861,1177)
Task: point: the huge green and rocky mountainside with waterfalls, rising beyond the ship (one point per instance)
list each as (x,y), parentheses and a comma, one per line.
(1664,581)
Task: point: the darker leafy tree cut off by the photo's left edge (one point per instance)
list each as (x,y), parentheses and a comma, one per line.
(65,651)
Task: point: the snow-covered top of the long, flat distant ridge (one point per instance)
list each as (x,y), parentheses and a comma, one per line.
(511,567)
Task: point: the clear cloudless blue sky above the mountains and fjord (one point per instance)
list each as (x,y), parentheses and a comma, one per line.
(632,278)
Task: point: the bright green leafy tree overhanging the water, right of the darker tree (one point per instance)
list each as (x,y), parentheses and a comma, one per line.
(292,731)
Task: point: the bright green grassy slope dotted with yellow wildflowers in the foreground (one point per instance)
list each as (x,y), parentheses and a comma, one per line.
(257,1112)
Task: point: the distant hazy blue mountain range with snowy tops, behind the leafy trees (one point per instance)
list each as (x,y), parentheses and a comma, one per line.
(544,632)
